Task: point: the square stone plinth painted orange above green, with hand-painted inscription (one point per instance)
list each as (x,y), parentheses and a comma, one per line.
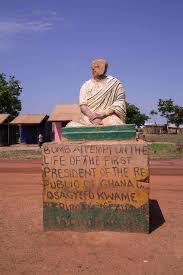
(96,185)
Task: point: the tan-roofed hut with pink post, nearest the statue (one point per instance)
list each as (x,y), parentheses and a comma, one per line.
(62,114)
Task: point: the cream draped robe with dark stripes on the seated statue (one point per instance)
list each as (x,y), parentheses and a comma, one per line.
(99,98)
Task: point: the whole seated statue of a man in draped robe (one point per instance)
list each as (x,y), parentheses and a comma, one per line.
(102,98)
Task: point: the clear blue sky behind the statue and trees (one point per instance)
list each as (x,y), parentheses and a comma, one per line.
(49,45)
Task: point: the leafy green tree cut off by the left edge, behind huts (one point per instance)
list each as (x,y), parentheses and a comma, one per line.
(10,90)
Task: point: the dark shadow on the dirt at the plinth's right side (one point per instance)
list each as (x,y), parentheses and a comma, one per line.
(156,218)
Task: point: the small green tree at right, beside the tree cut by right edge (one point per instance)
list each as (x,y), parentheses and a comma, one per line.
(166,108)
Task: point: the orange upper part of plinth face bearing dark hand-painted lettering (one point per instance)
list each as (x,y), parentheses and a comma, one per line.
(95,174)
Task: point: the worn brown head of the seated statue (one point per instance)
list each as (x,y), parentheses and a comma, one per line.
(99,67)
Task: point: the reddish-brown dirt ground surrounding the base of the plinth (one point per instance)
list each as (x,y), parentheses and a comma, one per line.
(26,249)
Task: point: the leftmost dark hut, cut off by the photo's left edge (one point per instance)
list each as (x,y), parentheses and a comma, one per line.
(7,131)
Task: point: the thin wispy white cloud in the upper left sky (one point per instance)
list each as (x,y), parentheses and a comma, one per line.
(13,26)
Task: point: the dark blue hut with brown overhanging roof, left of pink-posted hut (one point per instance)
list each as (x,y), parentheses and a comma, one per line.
(30,126)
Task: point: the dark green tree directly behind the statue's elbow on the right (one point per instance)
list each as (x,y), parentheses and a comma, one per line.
(134,116)
